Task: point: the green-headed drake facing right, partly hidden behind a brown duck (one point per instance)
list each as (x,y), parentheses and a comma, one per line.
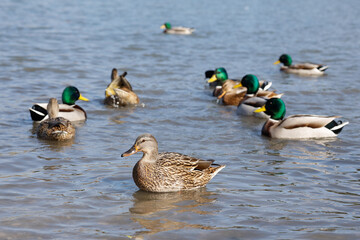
(67,110)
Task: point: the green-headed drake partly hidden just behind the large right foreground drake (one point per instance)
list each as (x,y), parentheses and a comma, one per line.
(254,98)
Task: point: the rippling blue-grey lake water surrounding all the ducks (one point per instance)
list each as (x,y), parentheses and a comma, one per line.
(270,189)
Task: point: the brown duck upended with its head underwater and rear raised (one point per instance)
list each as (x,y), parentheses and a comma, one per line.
(119,91)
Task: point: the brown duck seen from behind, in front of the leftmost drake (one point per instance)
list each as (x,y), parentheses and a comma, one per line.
(55,128)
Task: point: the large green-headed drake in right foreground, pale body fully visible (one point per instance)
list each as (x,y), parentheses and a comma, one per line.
(297,126)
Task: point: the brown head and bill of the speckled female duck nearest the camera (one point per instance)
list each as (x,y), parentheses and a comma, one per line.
(145,143)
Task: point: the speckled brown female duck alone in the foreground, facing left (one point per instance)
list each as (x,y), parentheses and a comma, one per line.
(168,171)
